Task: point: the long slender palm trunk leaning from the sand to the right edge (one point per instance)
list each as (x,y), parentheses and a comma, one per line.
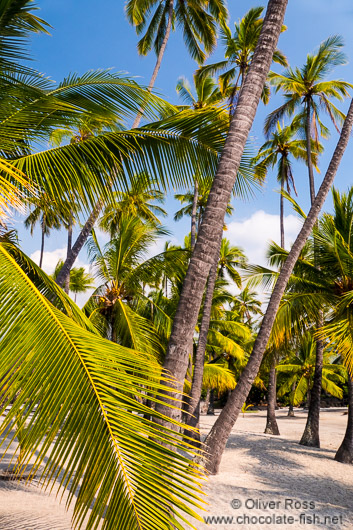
(218,436)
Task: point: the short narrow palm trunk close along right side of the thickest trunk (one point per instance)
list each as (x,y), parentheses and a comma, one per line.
(196,389)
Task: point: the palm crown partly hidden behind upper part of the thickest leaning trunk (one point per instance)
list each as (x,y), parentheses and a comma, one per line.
(239,51)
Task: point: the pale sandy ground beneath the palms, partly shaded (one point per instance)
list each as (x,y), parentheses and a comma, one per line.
(267,482)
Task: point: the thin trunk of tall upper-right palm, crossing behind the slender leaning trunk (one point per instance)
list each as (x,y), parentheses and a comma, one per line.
(311,436)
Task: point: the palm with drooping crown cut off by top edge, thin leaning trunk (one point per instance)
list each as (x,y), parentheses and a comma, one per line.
(197,19)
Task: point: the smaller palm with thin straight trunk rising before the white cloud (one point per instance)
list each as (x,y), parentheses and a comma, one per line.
(280,149)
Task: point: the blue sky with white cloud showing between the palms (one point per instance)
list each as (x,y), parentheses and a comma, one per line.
(88,34)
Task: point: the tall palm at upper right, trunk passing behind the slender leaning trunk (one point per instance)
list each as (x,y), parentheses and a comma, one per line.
(307,91)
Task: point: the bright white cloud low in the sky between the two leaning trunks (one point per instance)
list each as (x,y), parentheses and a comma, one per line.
(254,233)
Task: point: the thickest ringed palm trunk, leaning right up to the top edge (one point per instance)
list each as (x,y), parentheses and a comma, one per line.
(211,228)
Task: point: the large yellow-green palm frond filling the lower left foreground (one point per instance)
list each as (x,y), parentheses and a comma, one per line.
(81,397)
